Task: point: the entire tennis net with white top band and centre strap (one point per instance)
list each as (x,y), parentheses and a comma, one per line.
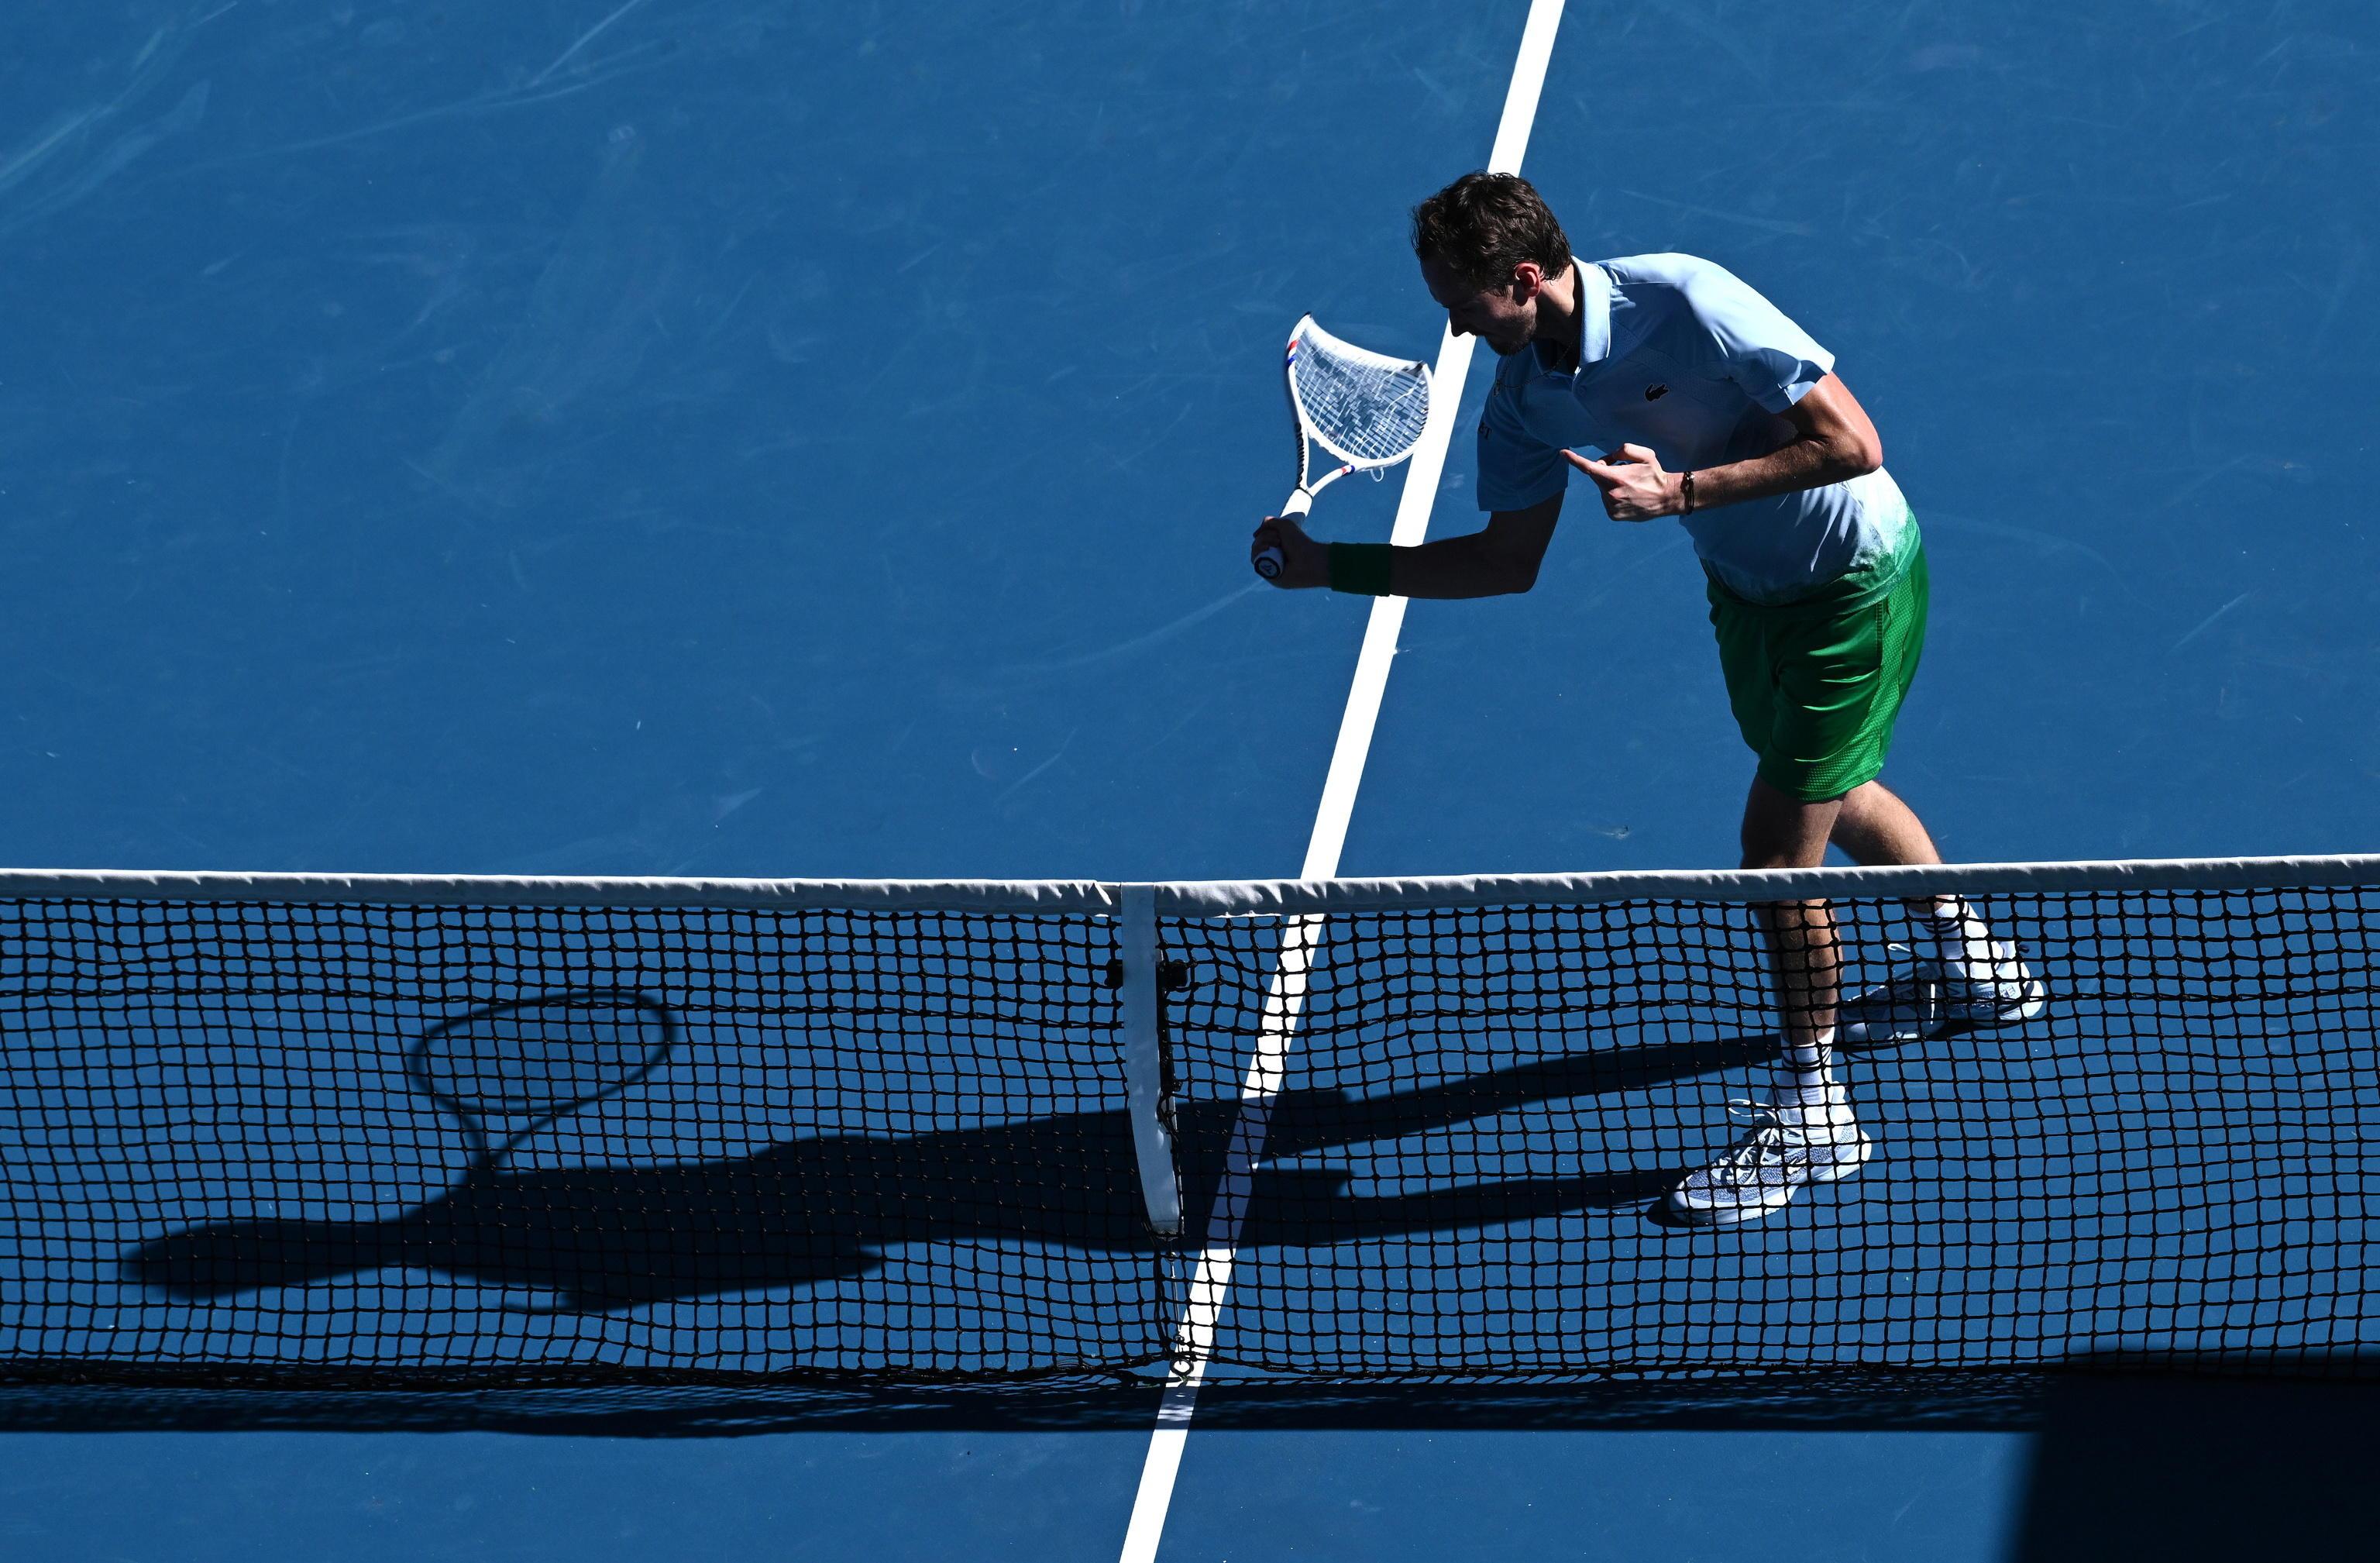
(477,1134)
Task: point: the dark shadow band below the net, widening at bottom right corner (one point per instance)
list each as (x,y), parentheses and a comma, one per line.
(2122,1452)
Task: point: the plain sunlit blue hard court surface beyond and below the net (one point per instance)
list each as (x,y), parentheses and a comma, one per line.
(741,439)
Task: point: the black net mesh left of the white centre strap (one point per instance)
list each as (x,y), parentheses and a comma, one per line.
(884,1143)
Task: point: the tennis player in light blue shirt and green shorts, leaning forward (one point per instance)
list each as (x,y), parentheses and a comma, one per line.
(1717,410)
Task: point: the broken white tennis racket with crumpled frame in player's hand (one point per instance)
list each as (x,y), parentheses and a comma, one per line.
(1358,406)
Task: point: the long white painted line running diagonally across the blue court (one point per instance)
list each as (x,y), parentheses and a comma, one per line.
(1289,993)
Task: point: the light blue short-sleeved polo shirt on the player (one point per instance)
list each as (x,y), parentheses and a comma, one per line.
(1681,356)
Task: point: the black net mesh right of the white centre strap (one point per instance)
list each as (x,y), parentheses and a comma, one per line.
(1484,1112)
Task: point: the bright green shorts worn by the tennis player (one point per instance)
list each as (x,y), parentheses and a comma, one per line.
(1817,684)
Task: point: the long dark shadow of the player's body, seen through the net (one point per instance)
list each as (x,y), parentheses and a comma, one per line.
(832,1205)
